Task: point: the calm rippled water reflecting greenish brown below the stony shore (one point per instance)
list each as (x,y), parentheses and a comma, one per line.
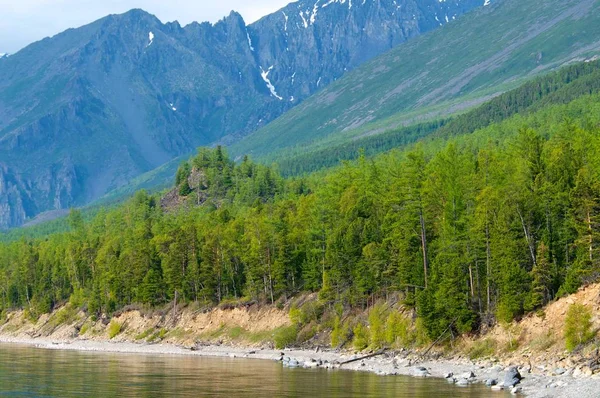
(30,372)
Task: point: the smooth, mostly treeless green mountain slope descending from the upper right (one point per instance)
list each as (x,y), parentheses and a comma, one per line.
(449,70)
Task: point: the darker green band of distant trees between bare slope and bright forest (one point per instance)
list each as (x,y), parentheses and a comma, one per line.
(560,87)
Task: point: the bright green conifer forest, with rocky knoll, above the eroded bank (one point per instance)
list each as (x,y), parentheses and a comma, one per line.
(467,229)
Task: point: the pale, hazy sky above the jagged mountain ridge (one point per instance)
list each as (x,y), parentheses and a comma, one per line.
(25,21)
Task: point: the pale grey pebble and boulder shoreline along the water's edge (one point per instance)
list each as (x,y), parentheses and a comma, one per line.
(535,384)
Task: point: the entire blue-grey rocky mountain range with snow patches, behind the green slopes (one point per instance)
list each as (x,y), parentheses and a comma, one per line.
(89,109)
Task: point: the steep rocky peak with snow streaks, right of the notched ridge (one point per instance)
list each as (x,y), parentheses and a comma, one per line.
(309,44)
